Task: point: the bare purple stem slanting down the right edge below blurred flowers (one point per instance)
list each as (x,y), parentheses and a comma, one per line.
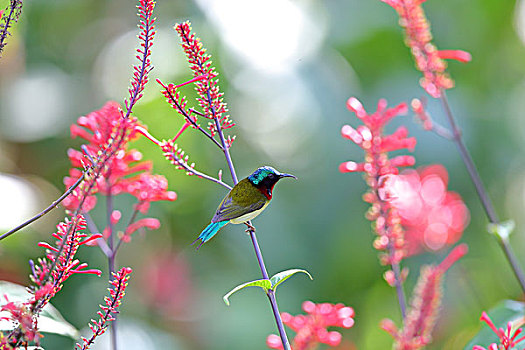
(481,191)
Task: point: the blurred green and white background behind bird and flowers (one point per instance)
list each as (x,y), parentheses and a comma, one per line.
(287,69)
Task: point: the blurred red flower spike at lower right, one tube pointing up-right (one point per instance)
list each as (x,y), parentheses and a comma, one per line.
(424,306)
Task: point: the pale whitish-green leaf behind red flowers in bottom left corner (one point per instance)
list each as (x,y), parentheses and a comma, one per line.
(50,319)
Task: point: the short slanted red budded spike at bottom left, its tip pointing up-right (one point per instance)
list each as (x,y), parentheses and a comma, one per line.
(113,301)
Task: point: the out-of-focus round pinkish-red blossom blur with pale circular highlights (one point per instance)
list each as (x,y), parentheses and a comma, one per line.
(431,216)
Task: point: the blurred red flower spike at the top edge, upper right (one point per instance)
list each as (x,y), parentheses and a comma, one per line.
(429,60)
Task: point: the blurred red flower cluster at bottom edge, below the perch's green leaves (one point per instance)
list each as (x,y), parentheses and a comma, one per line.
(311,329)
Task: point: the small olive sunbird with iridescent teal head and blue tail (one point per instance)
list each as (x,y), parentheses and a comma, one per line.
(247,199)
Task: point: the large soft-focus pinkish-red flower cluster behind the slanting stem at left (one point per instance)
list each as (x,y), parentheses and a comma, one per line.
(124,173)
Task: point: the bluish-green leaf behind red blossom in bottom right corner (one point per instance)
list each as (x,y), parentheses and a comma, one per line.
(504,312)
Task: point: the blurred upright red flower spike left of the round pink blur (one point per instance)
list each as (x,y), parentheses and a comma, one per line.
(377,166)
